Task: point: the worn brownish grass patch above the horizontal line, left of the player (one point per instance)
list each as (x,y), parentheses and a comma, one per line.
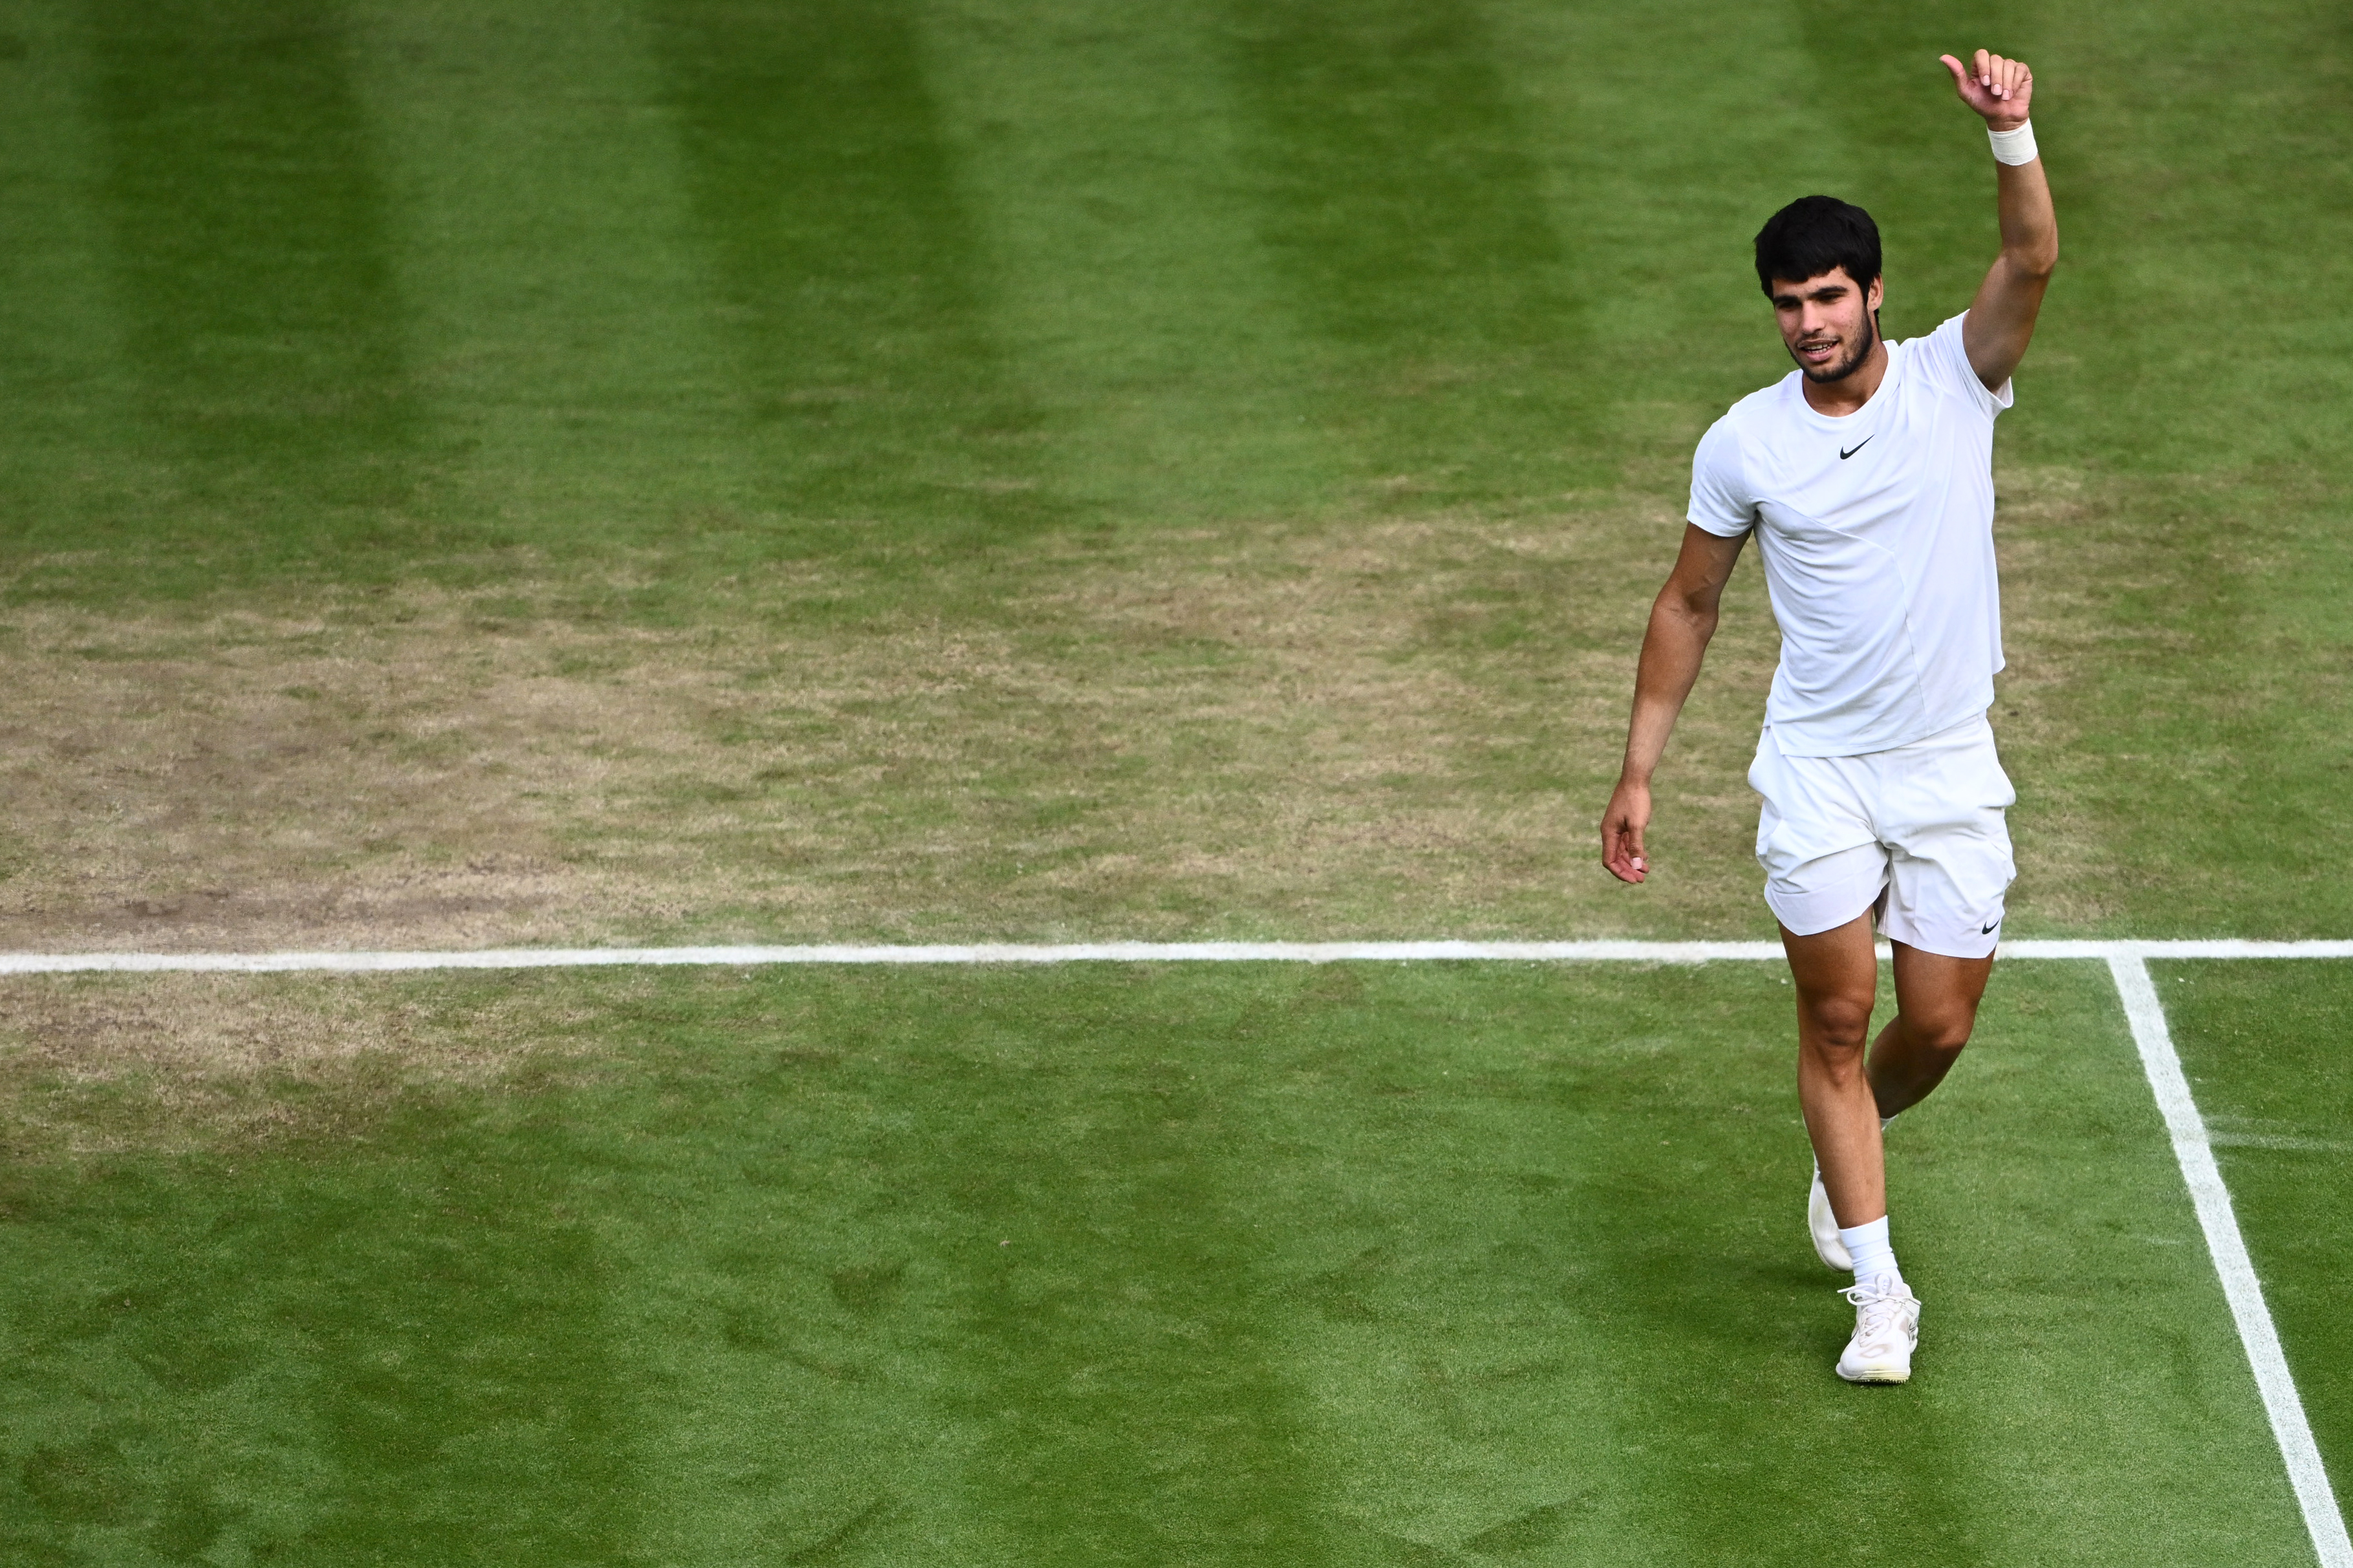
(1347,730)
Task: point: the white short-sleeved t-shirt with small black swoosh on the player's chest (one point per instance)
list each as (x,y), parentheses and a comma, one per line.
(1879,549)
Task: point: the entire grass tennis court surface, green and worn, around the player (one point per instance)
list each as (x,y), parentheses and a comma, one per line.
(1015,471)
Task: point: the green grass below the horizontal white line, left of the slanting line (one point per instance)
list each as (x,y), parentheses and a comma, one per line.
(1114,1266)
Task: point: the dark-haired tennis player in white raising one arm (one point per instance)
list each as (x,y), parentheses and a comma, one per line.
(1867,478)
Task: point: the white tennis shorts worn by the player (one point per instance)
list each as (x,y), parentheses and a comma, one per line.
(1914,833)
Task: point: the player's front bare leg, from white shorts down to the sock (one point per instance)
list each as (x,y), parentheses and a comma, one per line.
(1837,977)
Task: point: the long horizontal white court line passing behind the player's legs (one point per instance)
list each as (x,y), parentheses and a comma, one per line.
(1072,953)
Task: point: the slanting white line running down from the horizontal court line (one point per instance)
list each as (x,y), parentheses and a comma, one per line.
(2229,1249)
